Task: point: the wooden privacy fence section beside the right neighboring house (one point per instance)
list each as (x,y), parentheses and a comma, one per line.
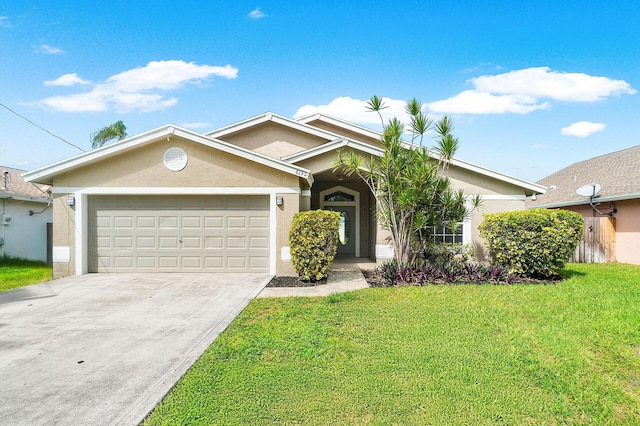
(598,244)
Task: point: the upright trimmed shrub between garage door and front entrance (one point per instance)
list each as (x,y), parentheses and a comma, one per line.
(313,241)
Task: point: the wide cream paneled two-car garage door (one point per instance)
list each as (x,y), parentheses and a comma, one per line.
(178,233)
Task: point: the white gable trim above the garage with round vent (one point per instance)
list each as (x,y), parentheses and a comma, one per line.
(46,174)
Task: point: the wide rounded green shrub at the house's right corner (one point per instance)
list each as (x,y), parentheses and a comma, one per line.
(533,243)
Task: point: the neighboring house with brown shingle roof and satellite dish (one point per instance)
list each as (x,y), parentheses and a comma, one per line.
(612,216)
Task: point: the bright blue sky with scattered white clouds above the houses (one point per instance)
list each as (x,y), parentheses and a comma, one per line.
(531,86)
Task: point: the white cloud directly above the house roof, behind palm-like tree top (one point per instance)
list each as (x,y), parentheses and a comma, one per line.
(355,110)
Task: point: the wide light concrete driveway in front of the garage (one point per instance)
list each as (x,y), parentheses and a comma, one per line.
(103,349)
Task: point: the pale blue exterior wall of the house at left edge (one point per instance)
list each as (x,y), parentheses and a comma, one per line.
(24,235)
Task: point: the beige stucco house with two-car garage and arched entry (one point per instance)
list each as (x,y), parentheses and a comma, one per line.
(175,200)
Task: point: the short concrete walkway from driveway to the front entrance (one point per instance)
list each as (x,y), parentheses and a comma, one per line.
(345,276)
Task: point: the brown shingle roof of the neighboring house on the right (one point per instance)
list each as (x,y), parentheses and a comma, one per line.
(618,174)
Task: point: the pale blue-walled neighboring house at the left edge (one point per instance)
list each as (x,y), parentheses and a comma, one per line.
(25,211)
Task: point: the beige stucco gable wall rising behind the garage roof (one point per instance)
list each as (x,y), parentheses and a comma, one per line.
(273,139)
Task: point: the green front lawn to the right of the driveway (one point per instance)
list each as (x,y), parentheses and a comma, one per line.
(567,353)
